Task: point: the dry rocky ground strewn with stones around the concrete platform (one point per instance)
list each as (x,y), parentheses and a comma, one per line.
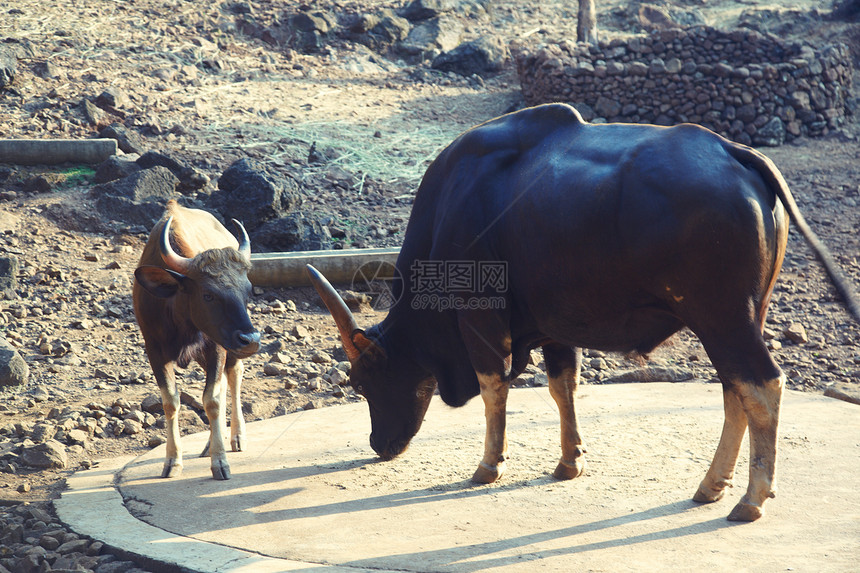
(351,122)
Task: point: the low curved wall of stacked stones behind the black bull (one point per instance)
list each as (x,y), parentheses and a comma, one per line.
(750,87)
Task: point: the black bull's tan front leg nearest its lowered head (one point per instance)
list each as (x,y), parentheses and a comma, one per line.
(494,392)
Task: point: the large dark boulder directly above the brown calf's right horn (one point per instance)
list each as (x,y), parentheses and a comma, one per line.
(251,193)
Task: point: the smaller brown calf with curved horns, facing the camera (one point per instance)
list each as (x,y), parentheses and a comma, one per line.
(190,300)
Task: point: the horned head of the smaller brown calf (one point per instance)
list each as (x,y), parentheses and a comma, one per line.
(213,286)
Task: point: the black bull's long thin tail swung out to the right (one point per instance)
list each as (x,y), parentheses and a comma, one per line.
(774,180)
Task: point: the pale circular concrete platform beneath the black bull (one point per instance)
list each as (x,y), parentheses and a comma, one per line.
(309,493)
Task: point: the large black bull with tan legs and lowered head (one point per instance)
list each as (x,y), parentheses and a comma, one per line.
(611,237)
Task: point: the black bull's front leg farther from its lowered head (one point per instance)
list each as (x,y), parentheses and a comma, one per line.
(563,364)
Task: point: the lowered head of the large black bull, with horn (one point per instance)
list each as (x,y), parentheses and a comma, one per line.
(397,390)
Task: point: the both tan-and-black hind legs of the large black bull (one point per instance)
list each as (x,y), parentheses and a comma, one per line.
(752,393)
